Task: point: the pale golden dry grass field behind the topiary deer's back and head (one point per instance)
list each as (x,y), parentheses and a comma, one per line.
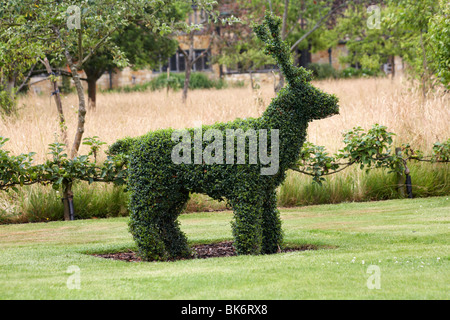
(363,102)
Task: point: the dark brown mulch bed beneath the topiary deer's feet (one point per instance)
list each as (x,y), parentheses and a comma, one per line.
(201,251)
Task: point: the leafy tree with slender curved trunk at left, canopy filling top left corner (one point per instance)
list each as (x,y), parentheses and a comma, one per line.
(73,32)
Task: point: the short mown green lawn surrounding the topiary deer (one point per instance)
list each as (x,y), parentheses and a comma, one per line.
(407,239)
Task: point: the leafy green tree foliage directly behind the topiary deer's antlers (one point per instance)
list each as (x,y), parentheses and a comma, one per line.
(305,25)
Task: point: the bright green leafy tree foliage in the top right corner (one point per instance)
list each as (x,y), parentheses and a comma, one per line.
(415,30)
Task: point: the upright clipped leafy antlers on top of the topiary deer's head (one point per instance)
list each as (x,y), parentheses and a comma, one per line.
(269,33)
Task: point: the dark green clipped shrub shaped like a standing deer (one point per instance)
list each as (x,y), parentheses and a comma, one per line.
(160,180)
